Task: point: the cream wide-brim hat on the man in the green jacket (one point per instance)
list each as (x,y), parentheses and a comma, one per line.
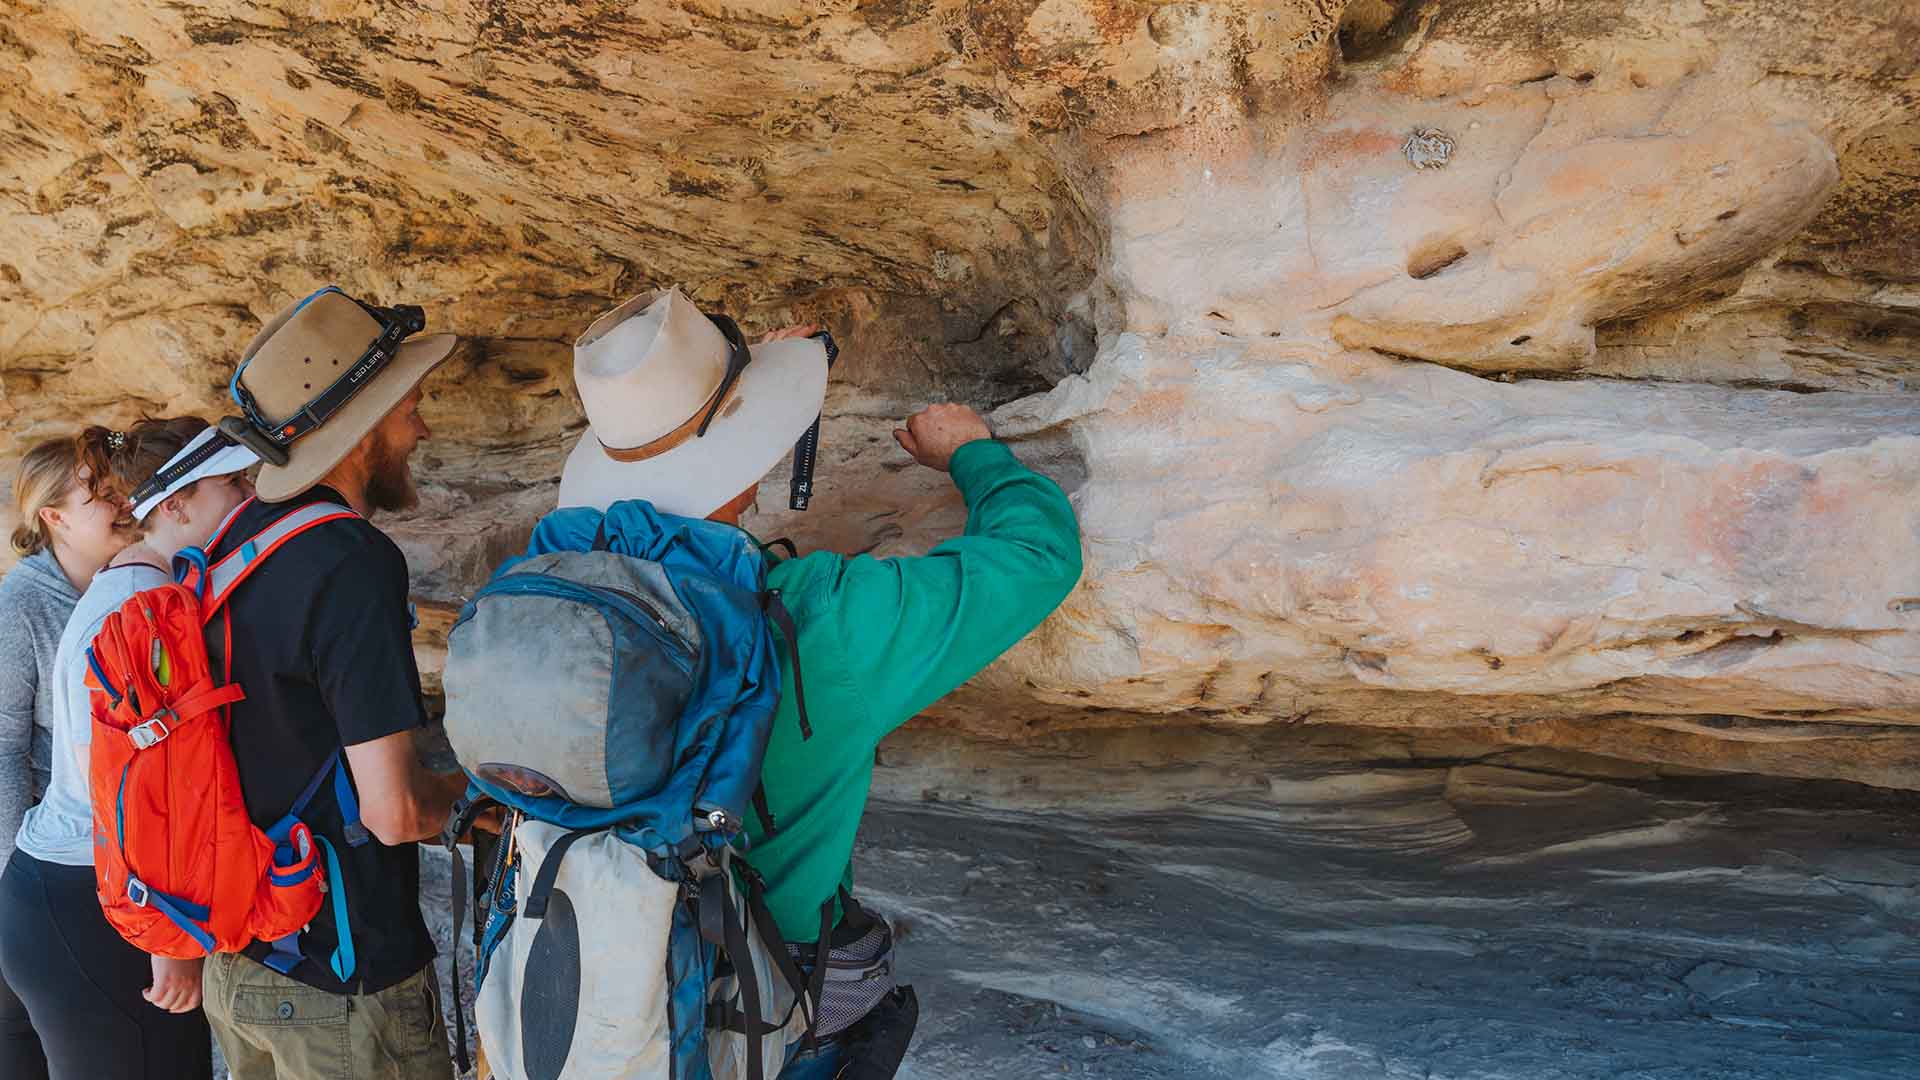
(652,374)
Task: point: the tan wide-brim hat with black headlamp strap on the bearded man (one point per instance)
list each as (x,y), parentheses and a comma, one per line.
(322,376)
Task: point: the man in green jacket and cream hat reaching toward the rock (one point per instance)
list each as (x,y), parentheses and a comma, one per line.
(690,418)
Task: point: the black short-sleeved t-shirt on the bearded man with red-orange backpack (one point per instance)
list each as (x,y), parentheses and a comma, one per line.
(324,650)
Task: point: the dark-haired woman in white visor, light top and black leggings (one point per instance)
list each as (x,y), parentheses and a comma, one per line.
(101,1006)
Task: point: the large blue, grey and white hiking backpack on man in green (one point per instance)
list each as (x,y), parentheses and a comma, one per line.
(615,699)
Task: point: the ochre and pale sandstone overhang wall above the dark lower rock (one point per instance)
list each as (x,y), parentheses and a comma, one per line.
(1531,370)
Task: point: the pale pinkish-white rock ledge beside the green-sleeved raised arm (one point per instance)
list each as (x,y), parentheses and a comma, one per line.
(1677,572)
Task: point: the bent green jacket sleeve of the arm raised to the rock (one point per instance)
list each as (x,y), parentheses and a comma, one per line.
(913,629)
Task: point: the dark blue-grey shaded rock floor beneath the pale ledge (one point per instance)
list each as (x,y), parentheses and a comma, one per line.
(1278,914)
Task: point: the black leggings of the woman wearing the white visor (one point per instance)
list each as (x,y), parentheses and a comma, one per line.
(82,983)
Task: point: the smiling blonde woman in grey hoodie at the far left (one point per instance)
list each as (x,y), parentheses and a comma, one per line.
(62,539)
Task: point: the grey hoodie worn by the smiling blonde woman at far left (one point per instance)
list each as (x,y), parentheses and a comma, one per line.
(36,602)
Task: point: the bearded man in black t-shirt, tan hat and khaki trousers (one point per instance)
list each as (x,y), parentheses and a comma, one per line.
(322,647)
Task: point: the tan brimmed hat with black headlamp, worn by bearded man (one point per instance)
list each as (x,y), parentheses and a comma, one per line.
(299,355)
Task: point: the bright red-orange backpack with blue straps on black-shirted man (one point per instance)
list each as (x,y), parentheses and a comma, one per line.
(181,868)
